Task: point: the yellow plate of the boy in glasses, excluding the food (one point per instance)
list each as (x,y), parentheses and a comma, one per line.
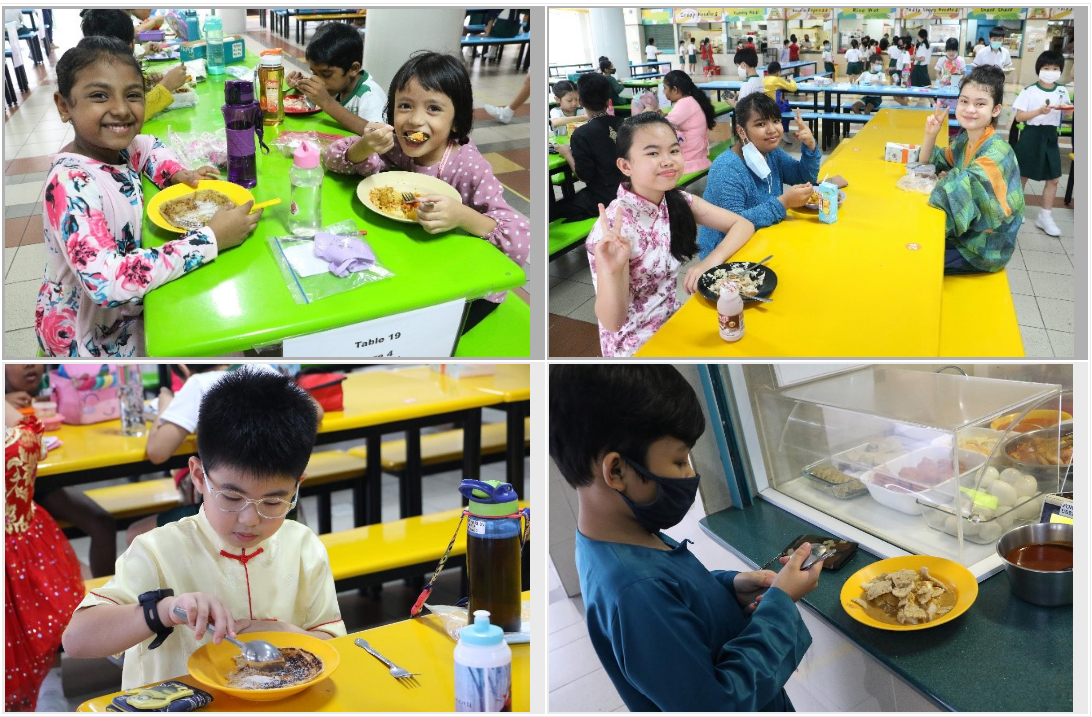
(211,664)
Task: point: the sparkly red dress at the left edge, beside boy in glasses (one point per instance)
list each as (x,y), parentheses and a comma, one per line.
(43,584)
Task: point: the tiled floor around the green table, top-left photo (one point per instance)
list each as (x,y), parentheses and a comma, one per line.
(33,132)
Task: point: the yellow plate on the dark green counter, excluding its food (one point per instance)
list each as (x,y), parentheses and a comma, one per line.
(952,575)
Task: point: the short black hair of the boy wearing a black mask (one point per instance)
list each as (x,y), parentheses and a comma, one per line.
(596,409)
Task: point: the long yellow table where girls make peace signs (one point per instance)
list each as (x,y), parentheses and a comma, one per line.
(871,284)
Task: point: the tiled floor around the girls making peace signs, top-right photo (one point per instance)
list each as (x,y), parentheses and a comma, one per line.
(1041,278)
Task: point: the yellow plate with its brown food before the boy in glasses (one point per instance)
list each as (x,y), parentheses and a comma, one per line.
(308,661)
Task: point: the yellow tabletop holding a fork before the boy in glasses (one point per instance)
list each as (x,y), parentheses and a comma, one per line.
(362,684)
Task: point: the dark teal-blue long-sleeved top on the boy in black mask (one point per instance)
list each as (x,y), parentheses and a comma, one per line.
(673,638)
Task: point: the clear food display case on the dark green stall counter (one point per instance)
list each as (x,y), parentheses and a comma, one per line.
(916,463)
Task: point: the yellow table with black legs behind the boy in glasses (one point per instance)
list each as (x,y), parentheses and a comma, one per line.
(376,403)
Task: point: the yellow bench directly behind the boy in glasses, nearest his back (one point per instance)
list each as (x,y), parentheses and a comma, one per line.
(387,552)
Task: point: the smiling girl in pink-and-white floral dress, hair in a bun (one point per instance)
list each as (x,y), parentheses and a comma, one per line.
(98,270)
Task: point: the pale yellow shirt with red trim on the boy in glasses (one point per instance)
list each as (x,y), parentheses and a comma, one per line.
(286,578)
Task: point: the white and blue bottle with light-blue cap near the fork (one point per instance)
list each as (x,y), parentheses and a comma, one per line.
(483,668)
